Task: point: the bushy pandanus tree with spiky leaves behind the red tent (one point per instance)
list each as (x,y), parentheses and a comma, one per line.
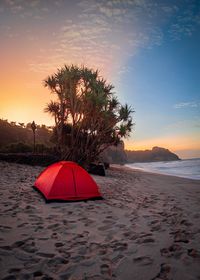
(88,116)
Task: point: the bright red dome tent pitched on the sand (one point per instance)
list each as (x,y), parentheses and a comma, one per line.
(66,180)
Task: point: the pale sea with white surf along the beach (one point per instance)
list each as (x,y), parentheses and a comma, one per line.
(187,168)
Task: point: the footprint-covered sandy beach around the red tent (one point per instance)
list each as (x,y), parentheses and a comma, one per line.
(146,228)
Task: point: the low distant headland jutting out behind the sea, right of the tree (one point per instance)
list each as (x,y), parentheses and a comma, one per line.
(156,154)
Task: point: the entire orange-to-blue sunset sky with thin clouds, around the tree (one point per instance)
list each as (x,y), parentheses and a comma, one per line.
(148,49)
